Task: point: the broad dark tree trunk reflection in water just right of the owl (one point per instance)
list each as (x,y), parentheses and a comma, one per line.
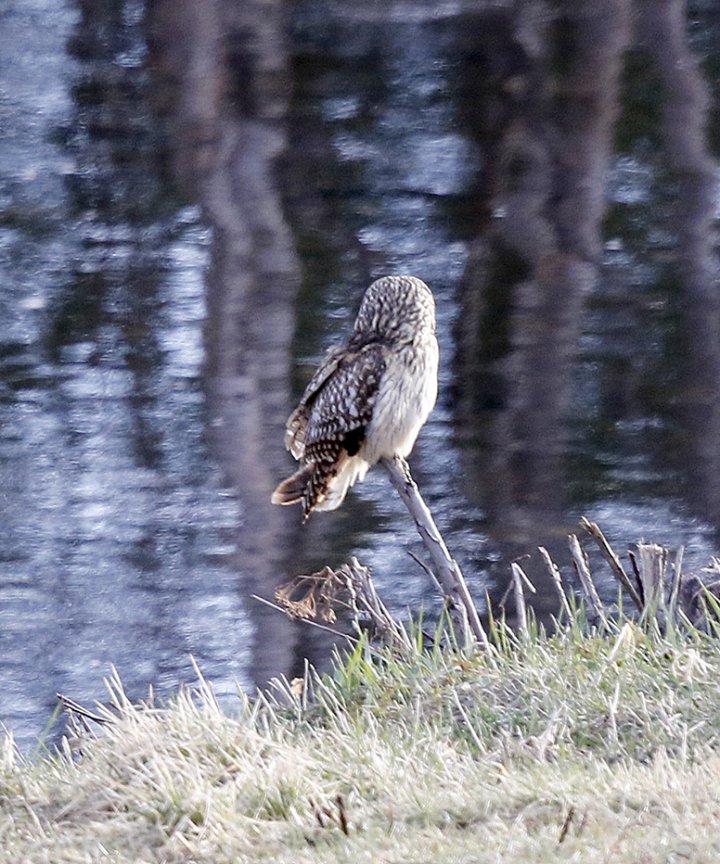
(537,259)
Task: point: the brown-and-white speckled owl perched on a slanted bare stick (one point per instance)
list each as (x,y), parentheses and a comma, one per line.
(368,399)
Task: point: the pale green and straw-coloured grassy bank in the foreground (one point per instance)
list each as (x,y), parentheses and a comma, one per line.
(571,747)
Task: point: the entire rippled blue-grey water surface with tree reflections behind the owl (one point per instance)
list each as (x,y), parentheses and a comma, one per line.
(193,197)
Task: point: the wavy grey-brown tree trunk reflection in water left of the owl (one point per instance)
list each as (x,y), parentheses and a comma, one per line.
(222,73)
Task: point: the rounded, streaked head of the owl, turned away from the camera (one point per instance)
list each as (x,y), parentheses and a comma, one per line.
(396,309)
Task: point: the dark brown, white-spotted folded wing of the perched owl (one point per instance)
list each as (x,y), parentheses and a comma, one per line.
(337,405)
